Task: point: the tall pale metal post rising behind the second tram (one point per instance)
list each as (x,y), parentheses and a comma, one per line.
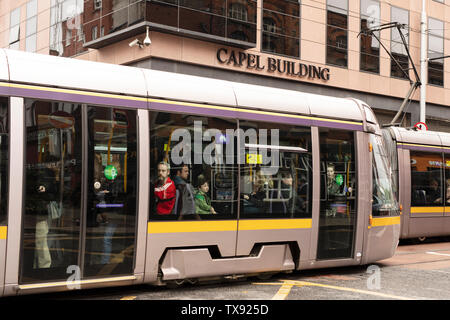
(423,62)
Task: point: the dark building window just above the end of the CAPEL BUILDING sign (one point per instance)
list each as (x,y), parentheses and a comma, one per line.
(337,32)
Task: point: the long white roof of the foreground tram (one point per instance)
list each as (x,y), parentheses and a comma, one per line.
(69,73)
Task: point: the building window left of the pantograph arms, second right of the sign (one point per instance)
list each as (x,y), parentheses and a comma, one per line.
(369,45)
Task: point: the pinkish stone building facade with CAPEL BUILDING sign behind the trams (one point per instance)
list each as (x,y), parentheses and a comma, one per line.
(330,47)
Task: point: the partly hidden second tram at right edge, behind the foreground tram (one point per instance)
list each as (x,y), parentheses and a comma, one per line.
(421,163)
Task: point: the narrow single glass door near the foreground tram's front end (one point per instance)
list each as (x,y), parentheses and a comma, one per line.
(337,195)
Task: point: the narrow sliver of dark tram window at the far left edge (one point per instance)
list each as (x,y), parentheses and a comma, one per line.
(4,159)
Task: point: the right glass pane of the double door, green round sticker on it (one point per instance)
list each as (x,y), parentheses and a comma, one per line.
(112,188)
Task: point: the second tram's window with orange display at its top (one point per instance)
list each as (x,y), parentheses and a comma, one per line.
(426,179)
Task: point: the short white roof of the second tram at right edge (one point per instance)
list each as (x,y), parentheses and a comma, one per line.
(421,137)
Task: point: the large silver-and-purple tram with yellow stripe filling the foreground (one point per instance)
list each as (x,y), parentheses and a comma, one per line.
(113,175)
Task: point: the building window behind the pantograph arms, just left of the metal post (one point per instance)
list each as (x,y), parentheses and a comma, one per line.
(398,49)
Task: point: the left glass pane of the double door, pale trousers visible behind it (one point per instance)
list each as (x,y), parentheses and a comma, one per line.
(51,221)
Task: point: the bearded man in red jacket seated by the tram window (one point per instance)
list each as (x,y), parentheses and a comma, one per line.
(165,191)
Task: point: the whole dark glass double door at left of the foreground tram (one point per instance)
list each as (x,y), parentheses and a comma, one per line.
(80,192)
